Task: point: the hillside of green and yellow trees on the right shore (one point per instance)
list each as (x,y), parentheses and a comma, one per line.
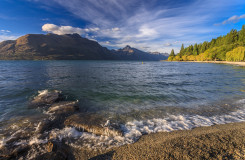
(230,47)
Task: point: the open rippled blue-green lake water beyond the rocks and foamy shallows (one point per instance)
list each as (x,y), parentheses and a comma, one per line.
(119,87)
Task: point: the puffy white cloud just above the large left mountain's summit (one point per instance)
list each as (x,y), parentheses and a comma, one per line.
(61,29)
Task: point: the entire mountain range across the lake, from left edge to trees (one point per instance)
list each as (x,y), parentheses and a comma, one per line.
(65,47)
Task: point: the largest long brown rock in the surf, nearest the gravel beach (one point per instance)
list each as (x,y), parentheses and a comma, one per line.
(94,123)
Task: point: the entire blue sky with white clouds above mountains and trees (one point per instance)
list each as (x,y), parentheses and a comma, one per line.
(149,25)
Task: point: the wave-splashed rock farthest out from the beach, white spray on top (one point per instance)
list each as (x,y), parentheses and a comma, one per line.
(46,97)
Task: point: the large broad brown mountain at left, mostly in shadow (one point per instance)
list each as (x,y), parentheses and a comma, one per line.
(52,46)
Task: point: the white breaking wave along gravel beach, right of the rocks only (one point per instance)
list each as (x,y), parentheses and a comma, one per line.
(179,122)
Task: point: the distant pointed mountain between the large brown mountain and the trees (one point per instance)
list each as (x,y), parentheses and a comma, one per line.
(129,53)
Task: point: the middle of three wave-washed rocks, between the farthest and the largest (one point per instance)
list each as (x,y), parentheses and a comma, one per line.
(64,107)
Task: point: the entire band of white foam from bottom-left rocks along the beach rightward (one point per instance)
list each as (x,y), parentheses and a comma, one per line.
(133,130)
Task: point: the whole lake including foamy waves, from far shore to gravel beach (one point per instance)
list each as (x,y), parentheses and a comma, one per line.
(148,97)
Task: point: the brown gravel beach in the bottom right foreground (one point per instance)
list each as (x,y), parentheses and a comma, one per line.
(222,141)
